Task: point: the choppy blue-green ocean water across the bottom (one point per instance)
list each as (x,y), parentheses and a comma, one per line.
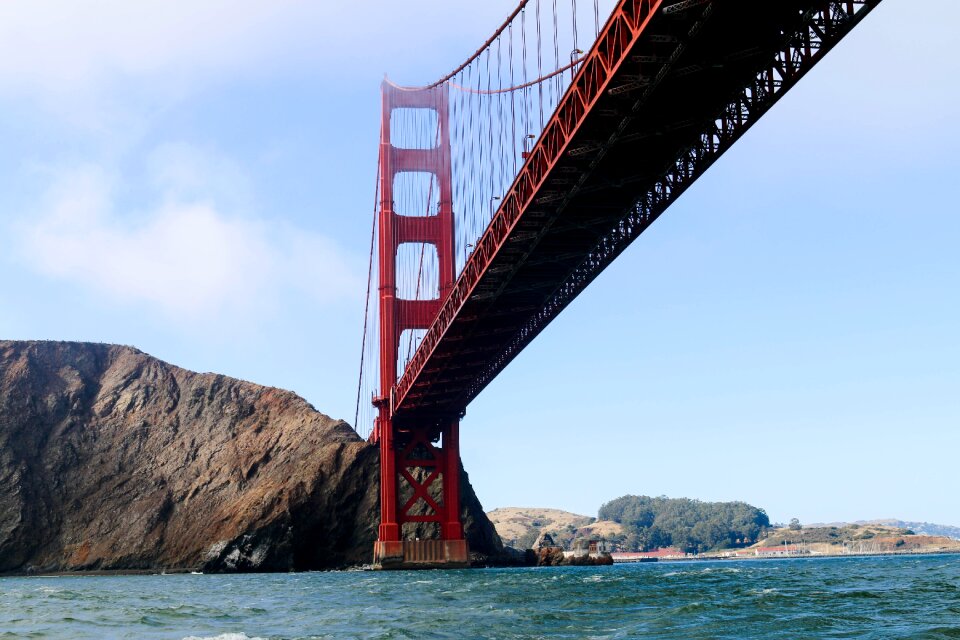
(878,597)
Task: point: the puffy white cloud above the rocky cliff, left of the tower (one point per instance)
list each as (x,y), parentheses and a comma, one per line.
(185,256)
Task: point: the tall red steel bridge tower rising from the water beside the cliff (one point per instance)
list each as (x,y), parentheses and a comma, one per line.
(419,463)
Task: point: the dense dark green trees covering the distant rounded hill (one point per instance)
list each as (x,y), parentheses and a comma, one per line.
(690,525)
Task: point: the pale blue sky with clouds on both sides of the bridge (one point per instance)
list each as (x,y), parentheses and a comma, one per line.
(197,180)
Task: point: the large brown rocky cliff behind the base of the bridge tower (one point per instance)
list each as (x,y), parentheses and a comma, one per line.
(111,459)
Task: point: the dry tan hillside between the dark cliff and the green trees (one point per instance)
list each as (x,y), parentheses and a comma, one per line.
(519,527)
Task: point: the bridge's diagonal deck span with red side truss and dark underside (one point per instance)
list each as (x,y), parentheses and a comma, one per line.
(666,90)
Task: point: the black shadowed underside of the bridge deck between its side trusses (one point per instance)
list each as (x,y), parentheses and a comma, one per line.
(628,140)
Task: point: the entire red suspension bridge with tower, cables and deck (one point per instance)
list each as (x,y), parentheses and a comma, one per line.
(508,185)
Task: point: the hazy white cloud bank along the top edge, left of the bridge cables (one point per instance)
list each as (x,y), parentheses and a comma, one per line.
(110,68)
